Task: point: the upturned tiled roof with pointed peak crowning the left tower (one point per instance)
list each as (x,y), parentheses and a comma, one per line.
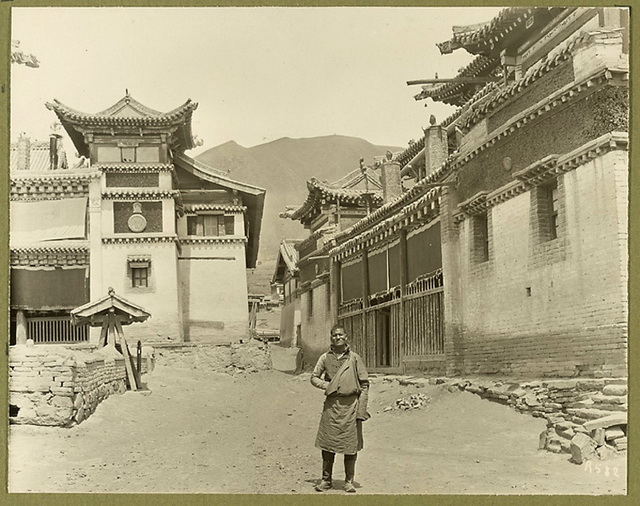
(126,113)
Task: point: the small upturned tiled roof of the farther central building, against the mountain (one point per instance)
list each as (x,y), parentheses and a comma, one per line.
(321,192)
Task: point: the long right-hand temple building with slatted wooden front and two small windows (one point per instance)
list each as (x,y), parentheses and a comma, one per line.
(505,249)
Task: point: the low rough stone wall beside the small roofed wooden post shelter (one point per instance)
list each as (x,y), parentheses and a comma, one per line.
(57,385)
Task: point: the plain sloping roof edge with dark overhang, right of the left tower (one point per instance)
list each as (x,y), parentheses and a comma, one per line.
(252,197)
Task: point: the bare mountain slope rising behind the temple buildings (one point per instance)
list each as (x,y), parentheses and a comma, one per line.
(283,167)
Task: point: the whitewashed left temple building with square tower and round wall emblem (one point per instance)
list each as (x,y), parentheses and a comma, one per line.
(135,214)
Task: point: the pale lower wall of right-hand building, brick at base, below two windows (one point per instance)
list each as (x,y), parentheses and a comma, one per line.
(556,308)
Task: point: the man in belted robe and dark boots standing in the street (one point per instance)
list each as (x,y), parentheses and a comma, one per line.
(341,373)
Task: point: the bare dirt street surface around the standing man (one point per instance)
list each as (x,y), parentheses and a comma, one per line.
(204,432)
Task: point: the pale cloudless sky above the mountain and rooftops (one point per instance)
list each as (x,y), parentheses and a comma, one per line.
(258,74)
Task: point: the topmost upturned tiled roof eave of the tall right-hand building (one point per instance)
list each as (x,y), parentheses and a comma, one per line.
(510,26)
